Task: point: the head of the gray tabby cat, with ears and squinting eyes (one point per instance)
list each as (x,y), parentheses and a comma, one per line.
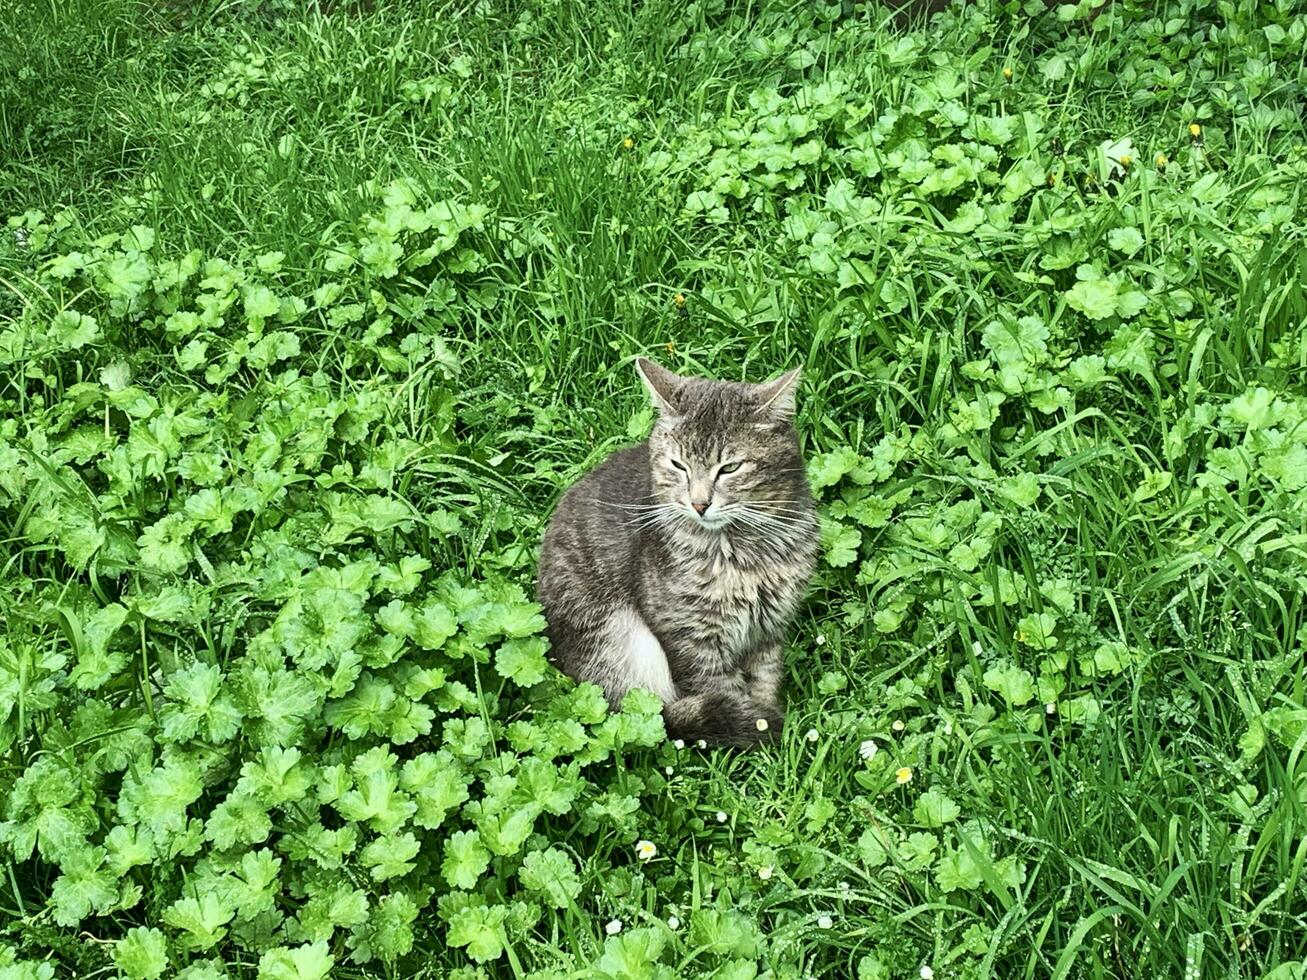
(723,453)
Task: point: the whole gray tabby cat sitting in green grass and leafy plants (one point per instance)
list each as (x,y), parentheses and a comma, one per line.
(678,564)
